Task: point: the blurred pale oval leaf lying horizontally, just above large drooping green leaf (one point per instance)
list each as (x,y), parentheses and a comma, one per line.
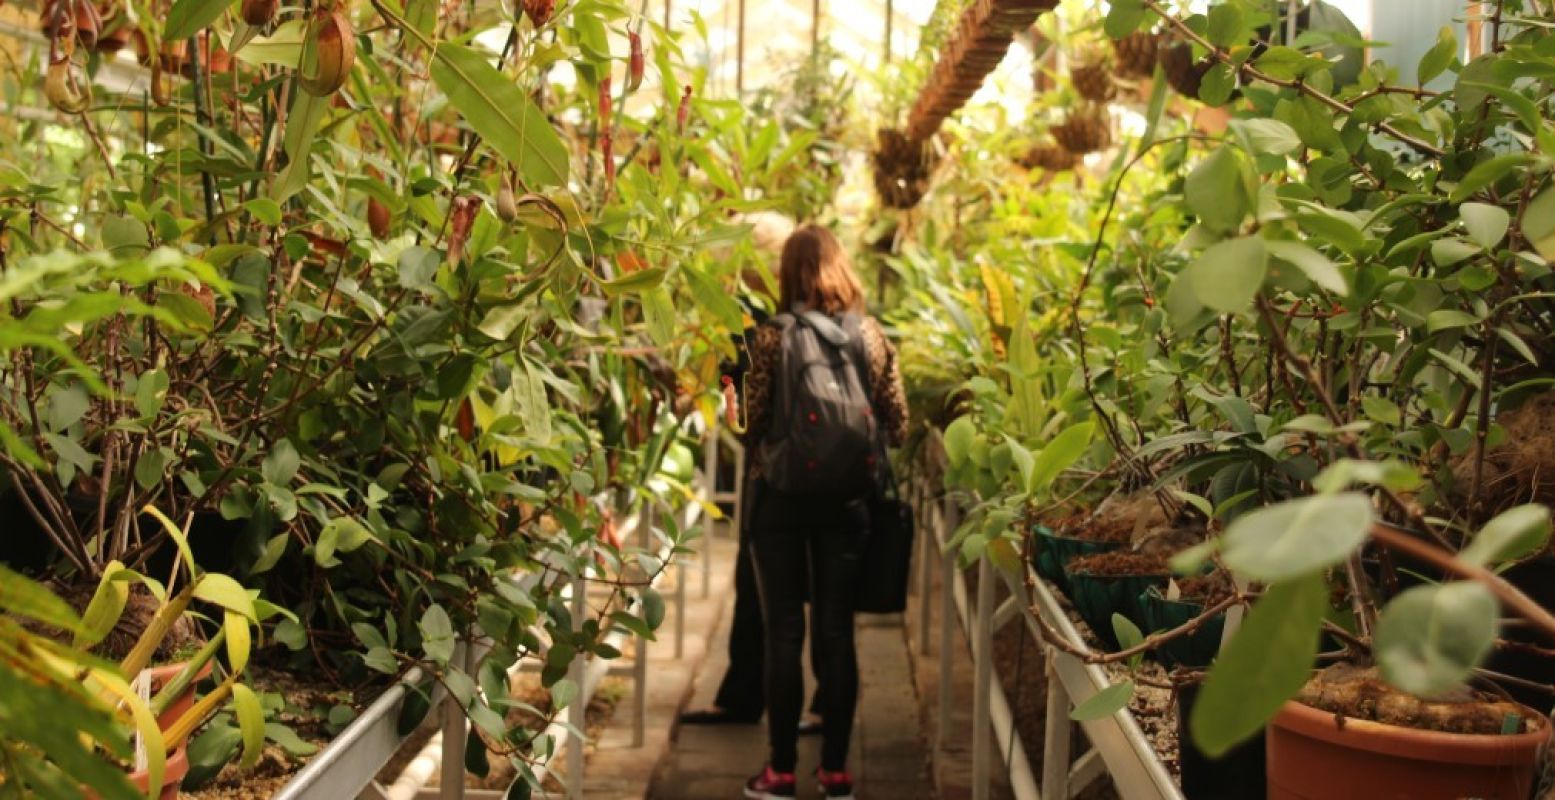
(1298,538)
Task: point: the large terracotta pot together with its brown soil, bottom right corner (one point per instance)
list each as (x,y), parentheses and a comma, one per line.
(1351,737)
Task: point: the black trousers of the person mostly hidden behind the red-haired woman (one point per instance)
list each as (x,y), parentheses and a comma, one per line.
(744,687)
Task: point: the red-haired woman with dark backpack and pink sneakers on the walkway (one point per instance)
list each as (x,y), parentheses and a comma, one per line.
(825,399)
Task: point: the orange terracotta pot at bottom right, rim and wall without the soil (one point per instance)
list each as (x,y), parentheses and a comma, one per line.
(1315,757)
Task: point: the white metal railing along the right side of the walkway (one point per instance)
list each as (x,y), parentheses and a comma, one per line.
(1119,746)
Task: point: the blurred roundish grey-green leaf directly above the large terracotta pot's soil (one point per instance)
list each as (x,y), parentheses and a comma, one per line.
(1431,637)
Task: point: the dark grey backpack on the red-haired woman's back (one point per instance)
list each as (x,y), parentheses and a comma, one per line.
(825,435)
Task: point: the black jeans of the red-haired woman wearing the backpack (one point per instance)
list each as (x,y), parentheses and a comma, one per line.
(816,541)
